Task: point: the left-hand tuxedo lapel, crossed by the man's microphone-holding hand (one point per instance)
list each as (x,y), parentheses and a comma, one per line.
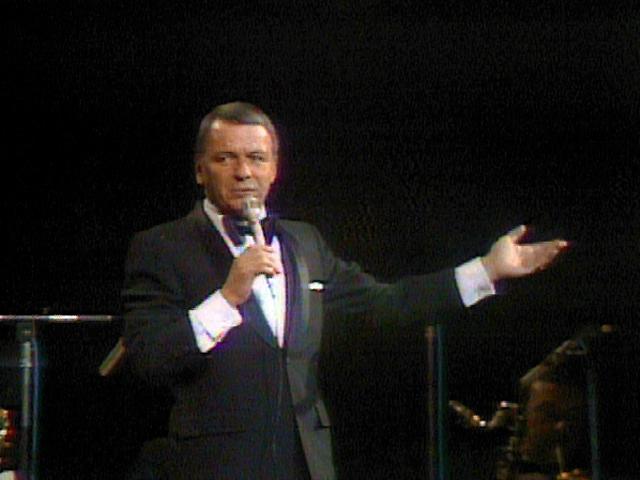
(222,259)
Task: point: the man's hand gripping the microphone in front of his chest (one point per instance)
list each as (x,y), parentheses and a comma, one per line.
(256,260)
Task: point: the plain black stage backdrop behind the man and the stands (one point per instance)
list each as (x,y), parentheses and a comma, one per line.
(413,136)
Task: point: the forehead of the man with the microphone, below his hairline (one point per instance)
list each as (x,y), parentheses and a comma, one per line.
(231,136)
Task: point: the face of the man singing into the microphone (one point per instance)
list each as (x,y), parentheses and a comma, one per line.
(238,162)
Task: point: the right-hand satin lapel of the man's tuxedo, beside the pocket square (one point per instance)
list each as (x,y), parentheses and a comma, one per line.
(297,279)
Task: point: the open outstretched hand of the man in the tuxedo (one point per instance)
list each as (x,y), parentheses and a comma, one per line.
(508,258)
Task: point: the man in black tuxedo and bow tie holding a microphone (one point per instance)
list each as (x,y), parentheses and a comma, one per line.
(233,326)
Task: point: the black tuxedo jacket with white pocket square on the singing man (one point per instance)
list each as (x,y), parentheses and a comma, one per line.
(226,400)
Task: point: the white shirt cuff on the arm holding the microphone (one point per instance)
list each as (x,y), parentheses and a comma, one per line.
(212,319)
